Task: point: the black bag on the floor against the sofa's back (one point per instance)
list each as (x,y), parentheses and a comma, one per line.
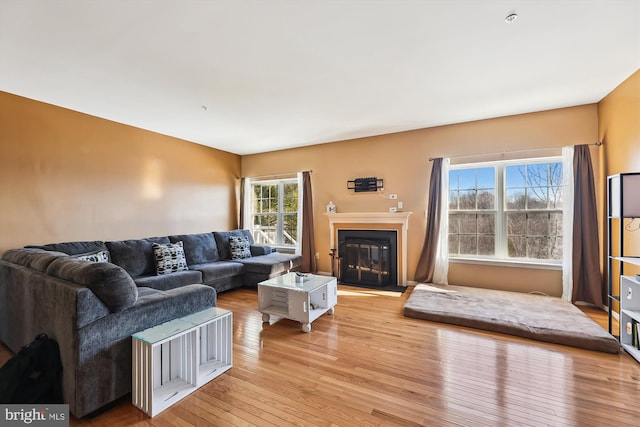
(34,375)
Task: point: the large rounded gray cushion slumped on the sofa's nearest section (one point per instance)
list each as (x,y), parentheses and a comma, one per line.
(110,283)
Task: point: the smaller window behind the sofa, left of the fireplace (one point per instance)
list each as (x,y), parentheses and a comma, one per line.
(274,212)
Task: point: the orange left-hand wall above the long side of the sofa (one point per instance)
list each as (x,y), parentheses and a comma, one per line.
(68,176)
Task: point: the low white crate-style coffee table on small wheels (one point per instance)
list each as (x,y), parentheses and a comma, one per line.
(300,299)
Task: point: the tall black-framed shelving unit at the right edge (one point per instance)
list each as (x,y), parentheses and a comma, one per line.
(623,202)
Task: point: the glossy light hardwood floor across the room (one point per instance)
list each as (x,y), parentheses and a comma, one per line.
(368,365)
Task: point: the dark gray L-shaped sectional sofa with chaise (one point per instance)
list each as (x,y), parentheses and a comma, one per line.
(91,296)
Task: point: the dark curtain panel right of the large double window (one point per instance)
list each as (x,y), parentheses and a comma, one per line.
(587,278)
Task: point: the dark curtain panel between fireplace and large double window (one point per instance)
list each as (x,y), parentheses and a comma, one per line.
(427,260)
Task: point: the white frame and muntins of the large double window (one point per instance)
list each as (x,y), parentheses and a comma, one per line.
(501,254)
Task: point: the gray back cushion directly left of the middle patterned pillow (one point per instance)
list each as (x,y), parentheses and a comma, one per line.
(135,256)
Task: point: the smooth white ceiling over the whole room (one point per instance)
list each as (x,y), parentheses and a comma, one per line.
(253,76)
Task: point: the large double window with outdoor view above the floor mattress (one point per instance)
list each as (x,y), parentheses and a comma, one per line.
(506,210)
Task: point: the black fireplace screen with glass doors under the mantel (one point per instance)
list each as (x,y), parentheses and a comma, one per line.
(367,261)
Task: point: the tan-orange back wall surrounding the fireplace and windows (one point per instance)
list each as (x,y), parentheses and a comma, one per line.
(402,160)
